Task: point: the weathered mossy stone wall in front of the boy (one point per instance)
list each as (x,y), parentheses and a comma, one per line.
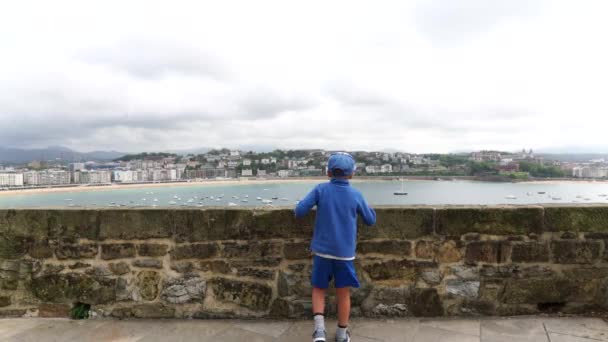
(417,261)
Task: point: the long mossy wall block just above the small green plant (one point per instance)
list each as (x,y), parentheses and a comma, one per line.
(72,287)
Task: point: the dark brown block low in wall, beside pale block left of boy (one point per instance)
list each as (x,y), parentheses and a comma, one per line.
(253,296)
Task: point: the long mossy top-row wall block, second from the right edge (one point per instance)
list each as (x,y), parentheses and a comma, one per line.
(495,221)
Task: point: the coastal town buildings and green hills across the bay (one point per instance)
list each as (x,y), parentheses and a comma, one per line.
(220,164)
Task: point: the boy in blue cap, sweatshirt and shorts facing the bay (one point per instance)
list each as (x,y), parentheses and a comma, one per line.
(334,240)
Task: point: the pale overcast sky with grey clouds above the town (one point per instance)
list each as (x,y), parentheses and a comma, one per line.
(418,76)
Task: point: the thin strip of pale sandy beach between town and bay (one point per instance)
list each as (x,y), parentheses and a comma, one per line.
(246,181)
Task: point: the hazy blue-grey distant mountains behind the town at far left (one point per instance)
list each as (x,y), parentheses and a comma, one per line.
(20,156)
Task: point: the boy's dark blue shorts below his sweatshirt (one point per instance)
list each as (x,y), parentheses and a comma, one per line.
(343,272)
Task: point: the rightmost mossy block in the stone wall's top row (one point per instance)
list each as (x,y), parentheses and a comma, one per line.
(576,218)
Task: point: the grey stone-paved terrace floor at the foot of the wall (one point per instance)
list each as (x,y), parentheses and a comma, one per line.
(520,329)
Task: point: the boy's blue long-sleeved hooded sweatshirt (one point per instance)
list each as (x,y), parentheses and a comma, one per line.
(337,204)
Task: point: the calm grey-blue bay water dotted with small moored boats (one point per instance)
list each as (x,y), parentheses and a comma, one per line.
(286,194)
